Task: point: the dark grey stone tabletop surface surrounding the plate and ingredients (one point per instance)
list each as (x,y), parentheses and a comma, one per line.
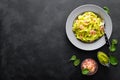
(34,45)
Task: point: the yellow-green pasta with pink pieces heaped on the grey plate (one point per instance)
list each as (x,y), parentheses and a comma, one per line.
(88,27)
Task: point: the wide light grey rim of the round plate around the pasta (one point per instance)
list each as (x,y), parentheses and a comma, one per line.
(79,10)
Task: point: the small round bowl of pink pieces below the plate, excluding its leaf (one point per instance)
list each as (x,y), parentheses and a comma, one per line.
(91,65)
